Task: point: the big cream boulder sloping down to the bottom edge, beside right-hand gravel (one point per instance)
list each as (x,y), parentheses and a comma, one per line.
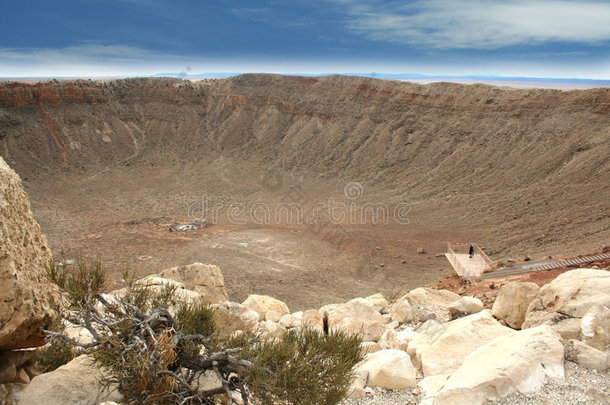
(519,361)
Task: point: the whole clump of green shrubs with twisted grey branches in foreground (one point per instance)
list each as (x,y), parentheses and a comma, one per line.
(156,347)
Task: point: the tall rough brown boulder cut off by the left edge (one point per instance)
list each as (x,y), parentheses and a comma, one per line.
(28,300)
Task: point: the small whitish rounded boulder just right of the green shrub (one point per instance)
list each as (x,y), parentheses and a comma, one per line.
(390,369)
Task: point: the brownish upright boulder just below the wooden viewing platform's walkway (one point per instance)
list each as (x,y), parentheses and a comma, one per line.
(512,302)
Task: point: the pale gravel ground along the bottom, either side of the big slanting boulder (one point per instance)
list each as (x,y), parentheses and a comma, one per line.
(581,386)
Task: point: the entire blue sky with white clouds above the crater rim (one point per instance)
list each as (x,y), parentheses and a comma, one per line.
(533,38)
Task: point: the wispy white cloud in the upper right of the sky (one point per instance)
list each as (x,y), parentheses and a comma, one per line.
(480,24)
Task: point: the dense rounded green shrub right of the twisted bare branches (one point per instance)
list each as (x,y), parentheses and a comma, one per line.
(306,367)
